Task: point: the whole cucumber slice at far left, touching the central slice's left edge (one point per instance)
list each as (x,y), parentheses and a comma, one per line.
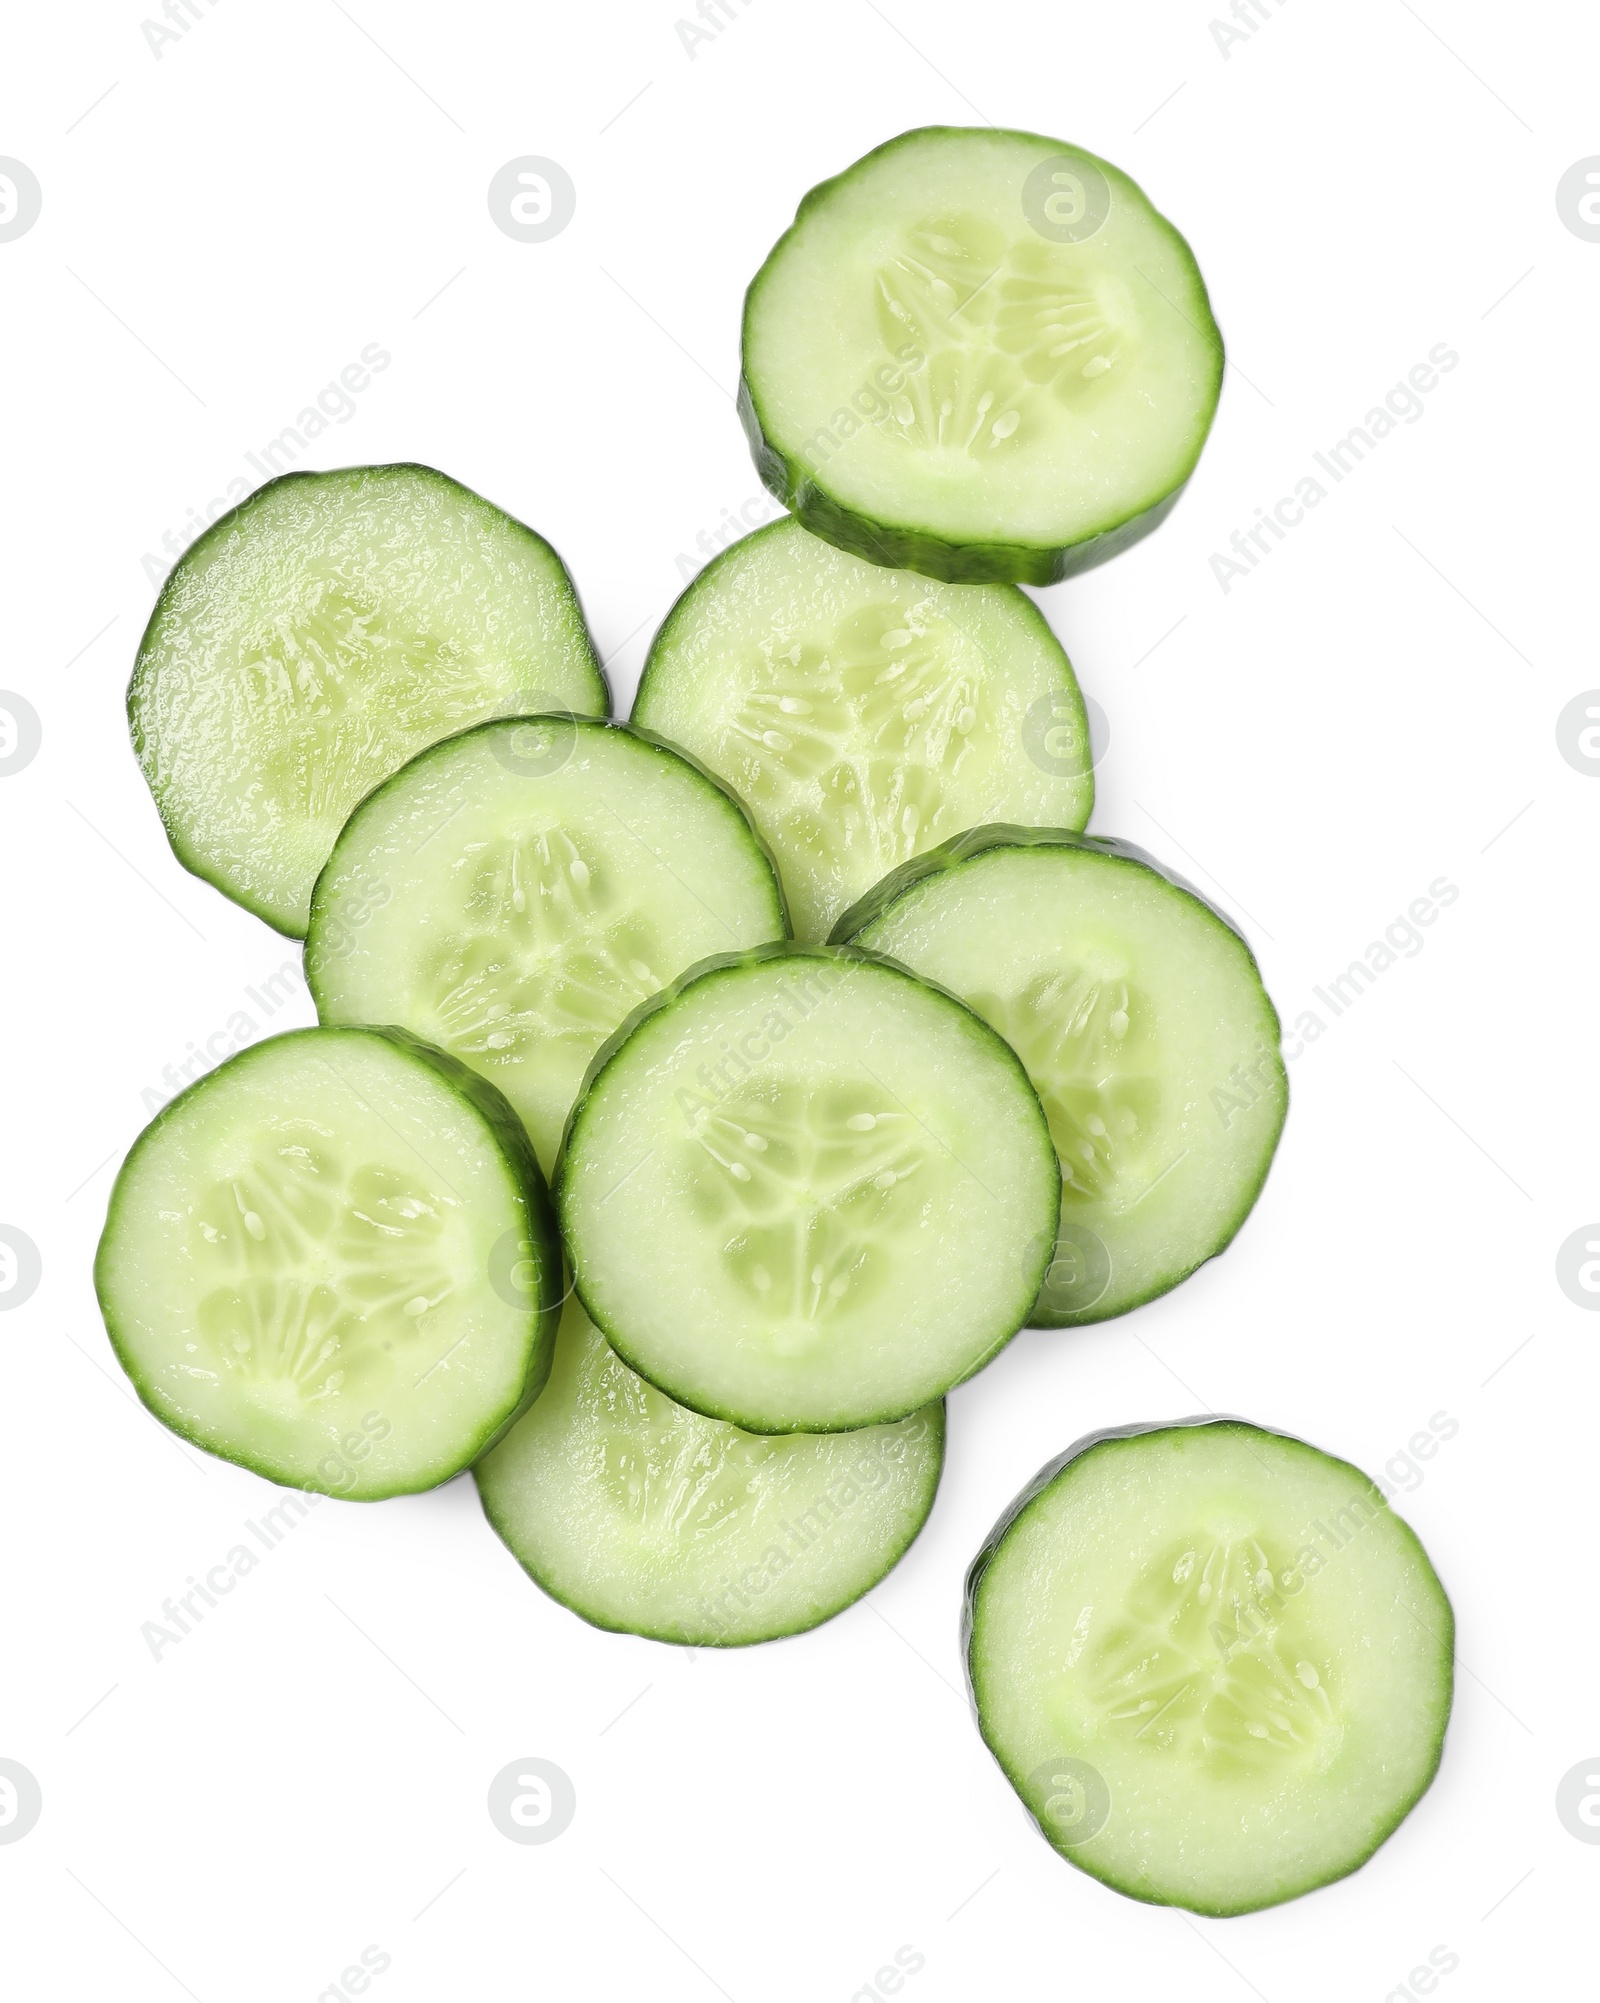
(333,1261)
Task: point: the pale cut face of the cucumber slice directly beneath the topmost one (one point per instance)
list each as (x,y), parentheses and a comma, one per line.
(866,714)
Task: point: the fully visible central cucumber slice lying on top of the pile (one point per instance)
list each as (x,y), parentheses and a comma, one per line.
(804,1191)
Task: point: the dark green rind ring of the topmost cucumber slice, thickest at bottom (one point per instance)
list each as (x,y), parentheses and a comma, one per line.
(904,546)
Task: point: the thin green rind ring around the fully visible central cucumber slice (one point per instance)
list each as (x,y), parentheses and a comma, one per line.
(670,994)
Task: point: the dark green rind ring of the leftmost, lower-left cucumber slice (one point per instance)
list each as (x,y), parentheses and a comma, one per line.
(528,1185)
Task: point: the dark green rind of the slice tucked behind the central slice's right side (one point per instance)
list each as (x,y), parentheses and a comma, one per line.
(980,842)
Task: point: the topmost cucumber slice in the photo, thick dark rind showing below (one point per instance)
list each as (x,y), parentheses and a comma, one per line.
(982,356)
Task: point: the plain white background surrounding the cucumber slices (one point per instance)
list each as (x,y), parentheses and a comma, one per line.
(225,227)
